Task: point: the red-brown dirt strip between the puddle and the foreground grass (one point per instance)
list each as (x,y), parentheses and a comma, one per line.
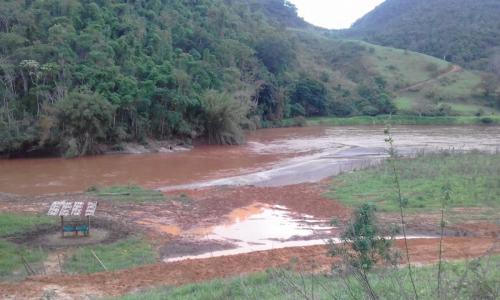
(178,273)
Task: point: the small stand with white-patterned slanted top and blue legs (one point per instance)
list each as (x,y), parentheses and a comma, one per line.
(75,216)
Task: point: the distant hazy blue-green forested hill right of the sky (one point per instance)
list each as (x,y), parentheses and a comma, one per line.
(465,32)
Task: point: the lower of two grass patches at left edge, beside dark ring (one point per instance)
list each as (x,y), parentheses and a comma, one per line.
(11,264)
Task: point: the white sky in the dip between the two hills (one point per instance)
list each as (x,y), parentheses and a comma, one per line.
(334,14)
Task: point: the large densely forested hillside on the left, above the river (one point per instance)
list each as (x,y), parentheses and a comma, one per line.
(79,74)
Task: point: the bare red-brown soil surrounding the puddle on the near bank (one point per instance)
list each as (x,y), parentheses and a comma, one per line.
(161,221)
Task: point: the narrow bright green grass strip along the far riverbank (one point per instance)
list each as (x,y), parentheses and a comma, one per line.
(401,120)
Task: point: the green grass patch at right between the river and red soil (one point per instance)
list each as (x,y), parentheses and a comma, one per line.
(474,179)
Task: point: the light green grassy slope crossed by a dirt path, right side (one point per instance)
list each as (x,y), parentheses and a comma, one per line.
(404,68)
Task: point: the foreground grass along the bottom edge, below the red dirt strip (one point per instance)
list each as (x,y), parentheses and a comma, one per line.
(463,280)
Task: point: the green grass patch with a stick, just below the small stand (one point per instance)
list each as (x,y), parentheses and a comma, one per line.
(119,255)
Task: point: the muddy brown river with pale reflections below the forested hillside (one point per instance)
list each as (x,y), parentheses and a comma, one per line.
(271,157)
